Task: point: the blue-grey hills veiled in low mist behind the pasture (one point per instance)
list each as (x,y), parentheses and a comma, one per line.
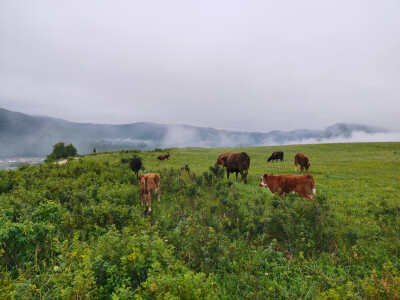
(24,135)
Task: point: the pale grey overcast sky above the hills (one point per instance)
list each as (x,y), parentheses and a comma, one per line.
(235,65)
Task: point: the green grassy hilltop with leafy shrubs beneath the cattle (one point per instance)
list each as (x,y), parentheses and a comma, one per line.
(78,231)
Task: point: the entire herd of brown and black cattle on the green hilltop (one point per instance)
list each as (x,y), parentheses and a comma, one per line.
(303,185)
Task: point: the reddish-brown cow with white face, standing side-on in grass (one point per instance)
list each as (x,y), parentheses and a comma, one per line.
(304,185)
